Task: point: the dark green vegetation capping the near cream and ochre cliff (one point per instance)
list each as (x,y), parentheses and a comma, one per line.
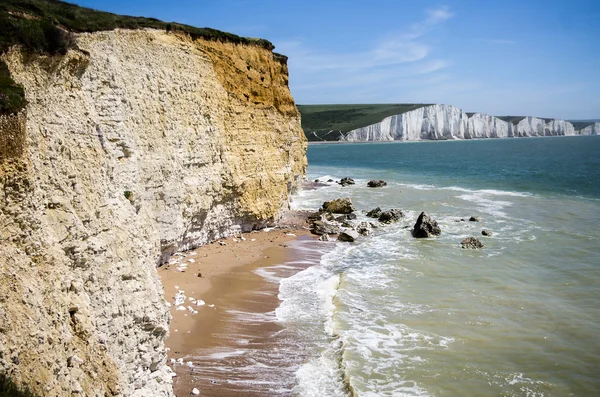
(45,26)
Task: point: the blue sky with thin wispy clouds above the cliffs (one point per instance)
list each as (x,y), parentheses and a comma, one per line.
(501,57)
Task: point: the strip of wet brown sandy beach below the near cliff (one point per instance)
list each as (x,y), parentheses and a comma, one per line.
(219,280)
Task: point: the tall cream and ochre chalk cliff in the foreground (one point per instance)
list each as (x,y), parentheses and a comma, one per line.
(139,144)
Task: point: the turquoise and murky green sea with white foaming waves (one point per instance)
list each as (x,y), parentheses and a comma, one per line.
(396,316)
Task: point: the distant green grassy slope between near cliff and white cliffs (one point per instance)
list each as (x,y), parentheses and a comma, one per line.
(329,122)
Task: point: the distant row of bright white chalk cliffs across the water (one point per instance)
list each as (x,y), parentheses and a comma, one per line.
(440,122)
